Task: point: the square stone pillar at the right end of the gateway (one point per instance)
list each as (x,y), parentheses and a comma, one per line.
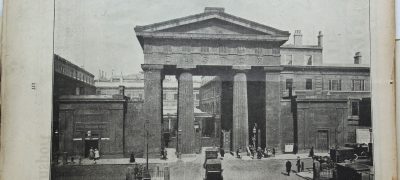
(273,134)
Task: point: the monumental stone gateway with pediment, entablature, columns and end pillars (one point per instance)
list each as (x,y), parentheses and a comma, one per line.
(243,54)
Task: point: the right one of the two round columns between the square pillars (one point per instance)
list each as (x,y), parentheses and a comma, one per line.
(240,133)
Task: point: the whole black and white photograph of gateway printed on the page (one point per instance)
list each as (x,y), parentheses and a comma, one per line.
(204,90)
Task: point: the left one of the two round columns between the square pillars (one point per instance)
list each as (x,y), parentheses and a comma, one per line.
(186,112)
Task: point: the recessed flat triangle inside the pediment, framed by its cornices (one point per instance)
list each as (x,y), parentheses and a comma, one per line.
(213,26)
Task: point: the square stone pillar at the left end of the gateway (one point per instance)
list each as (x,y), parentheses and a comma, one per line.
(153,77)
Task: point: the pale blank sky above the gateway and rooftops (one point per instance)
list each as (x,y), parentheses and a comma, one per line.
(99,34)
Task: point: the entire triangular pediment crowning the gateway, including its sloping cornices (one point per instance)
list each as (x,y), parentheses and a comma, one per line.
(212,21)
